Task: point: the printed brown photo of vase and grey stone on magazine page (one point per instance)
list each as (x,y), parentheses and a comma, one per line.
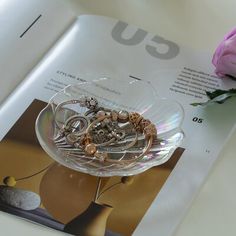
(63,199)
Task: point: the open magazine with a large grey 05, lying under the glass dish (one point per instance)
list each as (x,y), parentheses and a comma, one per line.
(54,49)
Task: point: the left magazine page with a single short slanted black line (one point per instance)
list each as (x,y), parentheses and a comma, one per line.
(28,30)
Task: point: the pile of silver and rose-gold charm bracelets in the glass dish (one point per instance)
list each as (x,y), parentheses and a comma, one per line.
(101,133)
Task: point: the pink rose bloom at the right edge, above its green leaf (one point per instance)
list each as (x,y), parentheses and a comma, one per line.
(224,57)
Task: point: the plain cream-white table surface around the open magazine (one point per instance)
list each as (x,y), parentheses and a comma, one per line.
(199,24)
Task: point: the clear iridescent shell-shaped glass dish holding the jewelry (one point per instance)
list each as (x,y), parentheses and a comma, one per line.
(134,96)
